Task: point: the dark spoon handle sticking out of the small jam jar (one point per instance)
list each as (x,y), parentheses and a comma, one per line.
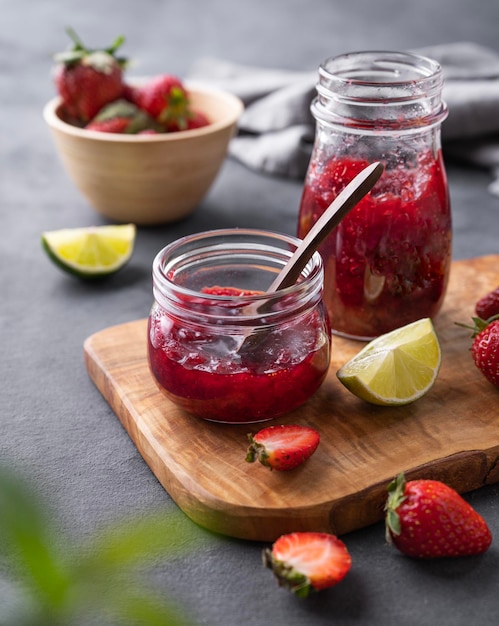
(351,195)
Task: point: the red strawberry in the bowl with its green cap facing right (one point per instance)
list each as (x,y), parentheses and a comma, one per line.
(164,98)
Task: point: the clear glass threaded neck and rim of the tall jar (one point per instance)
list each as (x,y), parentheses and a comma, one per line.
(380,91)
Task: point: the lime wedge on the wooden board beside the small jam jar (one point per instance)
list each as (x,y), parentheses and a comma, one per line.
(397,367)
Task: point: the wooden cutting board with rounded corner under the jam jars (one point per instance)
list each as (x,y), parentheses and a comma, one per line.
(451,434)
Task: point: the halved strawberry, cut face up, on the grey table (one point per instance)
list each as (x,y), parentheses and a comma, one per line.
(308,561)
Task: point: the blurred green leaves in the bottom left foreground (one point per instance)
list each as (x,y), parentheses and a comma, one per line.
(60,583)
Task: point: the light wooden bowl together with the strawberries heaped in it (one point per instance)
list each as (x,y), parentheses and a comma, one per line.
(135,165)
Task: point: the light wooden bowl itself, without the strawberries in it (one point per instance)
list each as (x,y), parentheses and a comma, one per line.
(148,179)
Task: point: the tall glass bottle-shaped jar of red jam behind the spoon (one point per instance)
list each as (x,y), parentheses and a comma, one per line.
(387,263)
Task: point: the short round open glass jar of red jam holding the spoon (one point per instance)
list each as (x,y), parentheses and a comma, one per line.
(221,348)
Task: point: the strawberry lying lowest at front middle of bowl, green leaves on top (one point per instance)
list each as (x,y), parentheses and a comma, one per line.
(122,116)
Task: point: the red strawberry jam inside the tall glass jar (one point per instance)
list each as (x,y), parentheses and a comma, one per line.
(387,263)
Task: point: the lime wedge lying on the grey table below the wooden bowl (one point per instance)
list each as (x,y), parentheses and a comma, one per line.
(90,252)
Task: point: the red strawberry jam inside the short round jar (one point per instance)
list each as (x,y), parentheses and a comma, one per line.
(202,368)
